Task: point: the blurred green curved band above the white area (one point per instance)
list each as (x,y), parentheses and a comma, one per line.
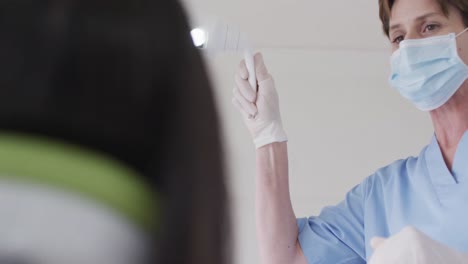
(91,174)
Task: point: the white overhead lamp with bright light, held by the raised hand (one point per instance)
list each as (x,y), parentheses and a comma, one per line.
(221,37)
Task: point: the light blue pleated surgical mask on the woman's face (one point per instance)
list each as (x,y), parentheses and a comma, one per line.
(428,71)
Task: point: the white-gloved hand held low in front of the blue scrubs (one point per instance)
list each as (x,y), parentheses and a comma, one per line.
(411,246)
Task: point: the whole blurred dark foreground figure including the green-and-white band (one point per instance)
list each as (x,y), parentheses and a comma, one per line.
(109,145)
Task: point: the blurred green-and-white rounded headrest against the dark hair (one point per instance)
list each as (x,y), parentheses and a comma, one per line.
(63,204)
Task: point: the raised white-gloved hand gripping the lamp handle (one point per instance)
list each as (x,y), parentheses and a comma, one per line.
(265,126)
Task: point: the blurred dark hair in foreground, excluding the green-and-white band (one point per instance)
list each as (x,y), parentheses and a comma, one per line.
(123,77)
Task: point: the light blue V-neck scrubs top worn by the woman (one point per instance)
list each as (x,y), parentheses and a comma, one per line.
(420,192)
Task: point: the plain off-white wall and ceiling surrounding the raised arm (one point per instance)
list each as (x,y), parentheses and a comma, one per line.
(342,118)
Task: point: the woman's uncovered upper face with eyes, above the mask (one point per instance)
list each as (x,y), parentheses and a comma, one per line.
(414,19)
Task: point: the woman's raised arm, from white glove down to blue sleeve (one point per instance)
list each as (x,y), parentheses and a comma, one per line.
(277,230)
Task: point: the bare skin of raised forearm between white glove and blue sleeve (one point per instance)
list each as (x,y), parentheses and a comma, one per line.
(276,223)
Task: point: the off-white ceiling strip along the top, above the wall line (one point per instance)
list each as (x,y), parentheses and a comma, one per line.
(298,24)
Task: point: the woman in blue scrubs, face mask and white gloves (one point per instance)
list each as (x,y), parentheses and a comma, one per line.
(411,211)
